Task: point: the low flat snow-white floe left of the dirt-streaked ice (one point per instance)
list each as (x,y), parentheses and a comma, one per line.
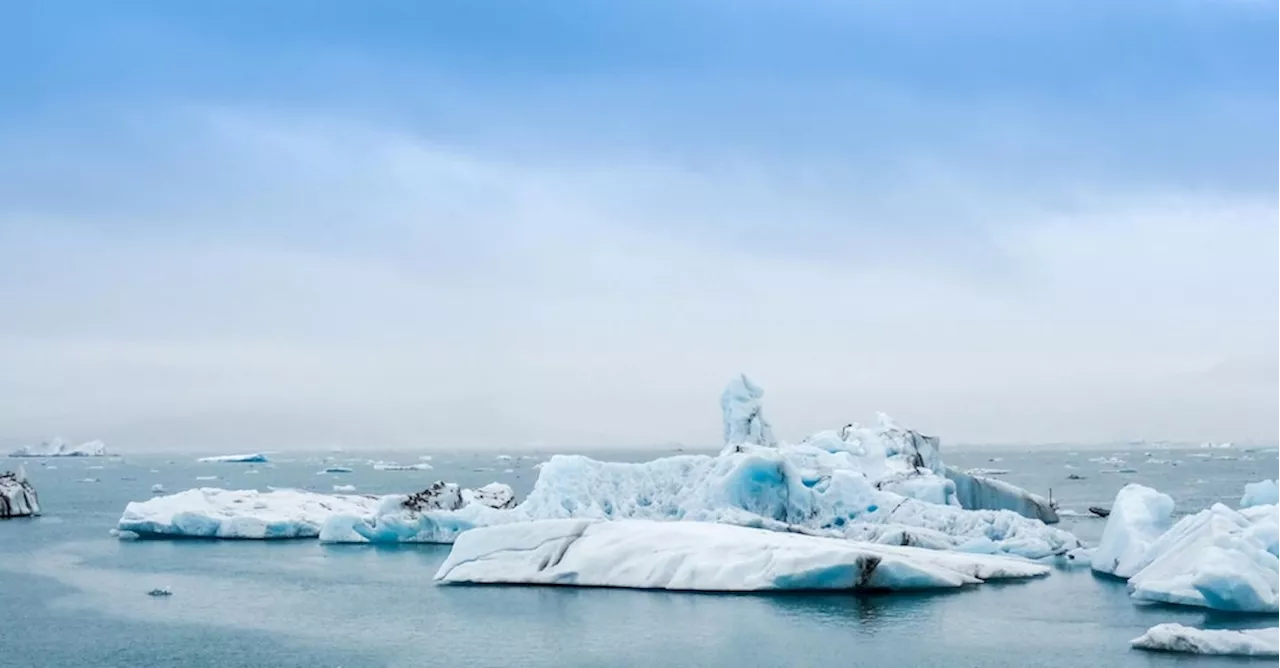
(240,514)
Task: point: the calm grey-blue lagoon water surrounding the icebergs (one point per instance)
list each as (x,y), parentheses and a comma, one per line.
(76,597)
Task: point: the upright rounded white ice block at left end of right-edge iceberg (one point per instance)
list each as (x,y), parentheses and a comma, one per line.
(1139,518)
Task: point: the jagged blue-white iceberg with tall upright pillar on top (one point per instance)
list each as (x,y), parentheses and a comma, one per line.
(880,484)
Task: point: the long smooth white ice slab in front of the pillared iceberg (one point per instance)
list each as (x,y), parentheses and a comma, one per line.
(700,557)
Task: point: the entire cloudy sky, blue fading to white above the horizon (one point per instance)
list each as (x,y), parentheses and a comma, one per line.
(492,225)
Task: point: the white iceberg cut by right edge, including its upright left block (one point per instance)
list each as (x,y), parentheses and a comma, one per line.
(1218,559)
